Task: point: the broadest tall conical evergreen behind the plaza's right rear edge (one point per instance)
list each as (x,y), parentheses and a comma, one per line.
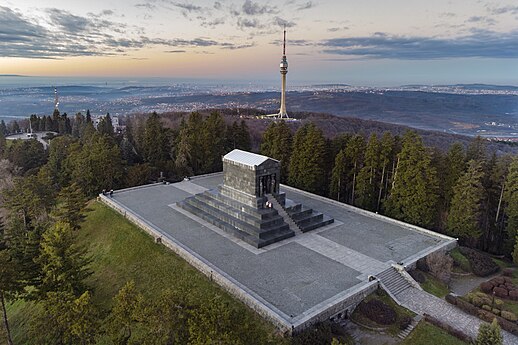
(414,194)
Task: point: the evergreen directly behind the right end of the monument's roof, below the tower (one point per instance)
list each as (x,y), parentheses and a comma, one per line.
(277,144)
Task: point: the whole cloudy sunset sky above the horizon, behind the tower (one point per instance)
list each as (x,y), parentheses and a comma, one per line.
(357,42)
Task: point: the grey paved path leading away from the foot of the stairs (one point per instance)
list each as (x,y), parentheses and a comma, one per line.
(422,302)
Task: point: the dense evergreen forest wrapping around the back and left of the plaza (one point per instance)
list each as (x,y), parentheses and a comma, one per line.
(466,191)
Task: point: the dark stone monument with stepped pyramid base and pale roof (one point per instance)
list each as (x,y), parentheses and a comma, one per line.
(249,204)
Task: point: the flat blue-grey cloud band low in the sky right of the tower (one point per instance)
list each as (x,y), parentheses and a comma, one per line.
(479,44)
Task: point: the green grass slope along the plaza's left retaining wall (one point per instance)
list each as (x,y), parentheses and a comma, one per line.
(122,252)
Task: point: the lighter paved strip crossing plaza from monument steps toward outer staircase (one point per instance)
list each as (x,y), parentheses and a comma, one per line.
(346,256)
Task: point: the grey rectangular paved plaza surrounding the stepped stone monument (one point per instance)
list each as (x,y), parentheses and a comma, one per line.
(294,279)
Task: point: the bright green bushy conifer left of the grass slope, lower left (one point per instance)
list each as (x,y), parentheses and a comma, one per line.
(64,263)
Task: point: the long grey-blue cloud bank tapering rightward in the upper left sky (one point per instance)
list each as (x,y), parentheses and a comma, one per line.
(72,35)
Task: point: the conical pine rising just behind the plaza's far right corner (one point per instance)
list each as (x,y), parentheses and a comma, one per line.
(465,211)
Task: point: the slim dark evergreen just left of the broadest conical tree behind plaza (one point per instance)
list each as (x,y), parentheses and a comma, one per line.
(368,178)
